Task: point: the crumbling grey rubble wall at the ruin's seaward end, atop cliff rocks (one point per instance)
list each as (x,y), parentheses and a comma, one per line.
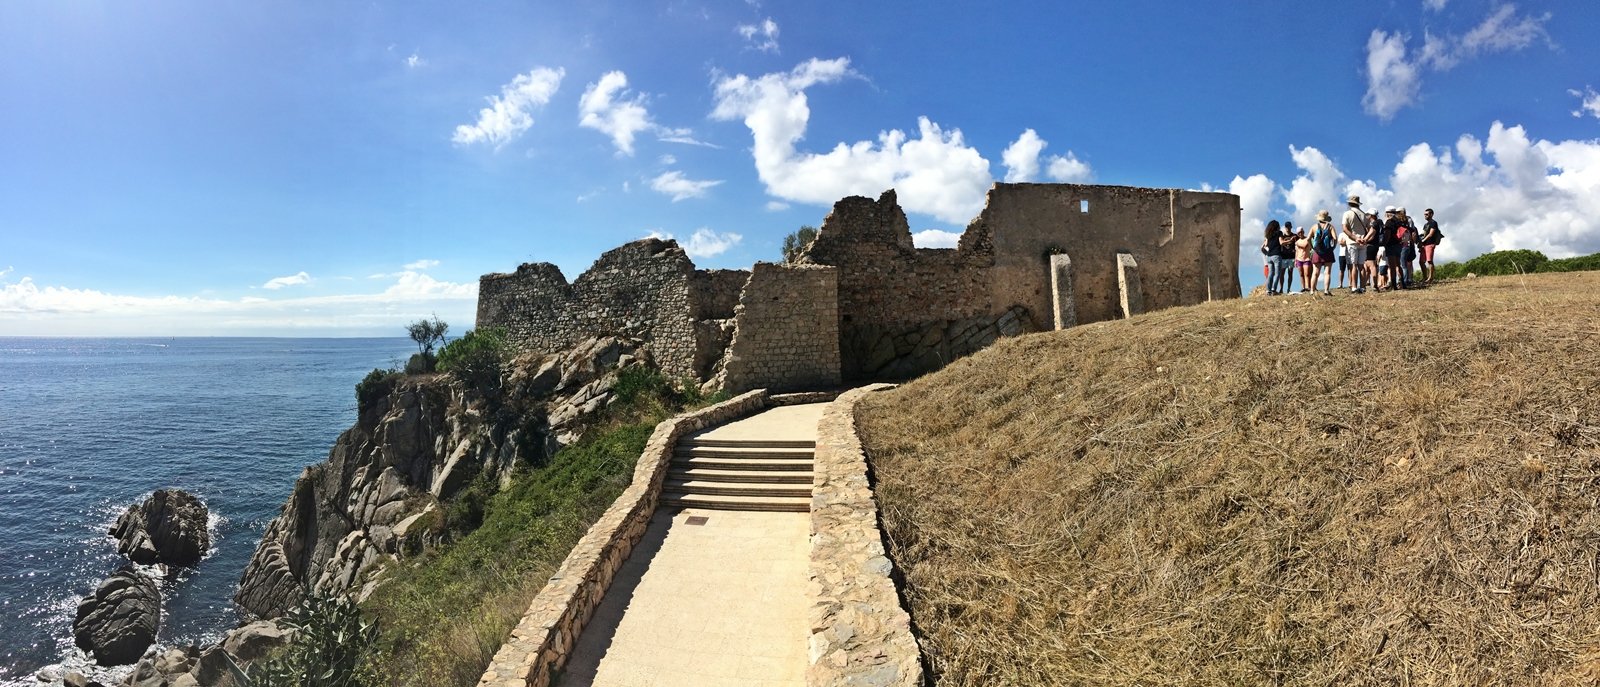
(639,291)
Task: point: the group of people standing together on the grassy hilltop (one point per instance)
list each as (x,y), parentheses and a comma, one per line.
(1372,252)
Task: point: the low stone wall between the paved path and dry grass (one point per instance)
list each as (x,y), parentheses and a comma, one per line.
(862,635)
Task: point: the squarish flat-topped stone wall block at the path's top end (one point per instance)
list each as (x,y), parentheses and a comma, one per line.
(786,331)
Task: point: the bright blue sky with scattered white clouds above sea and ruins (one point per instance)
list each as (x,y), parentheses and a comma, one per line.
(340,169)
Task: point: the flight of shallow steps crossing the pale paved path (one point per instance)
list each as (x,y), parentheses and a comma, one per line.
(737,475)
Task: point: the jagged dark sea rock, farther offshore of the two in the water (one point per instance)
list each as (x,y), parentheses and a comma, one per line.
(166,529)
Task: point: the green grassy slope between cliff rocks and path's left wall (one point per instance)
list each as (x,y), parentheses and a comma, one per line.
(446,616)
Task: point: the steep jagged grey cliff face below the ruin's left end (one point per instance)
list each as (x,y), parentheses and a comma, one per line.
(410,451)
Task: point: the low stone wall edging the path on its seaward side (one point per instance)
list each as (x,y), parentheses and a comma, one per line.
(542,643)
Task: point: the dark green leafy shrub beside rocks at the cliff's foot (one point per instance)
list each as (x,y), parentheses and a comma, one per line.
(330,648)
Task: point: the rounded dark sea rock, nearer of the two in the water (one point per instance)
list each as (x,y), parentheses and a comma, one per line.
(119,622)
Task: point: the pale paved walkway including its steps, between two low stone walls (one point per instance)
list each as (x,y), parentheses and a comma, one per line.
(716,593)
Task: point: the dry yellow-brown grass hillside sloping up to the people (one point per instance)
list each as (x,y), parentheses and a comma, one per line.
(1386,489)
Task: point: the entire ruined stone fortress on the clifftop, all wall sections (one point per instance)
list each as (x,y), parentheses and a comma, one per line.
(863,303)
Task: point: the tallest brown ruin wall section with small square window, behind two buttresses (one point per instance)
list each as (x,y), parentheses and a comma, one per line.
(906,311)
